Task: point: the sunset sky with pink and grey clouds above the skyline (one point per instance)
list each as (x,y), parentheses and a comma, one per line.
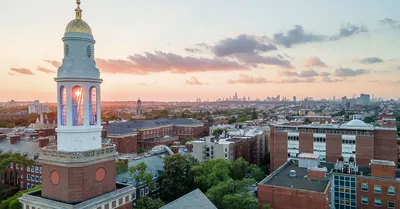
(180,50)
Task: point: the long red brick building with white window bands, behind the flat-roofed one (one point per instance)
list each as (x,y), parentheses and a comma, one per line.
(353,139)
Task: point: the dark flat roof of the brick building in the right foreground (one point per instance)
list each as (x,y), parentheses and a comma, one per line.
(282,179)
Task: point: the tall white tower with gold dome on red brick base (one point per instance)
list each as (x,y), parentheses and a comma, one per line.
(79,172)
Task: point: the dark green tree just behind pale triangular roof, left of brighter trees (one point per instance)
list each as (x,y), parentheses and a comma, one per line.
(177,179)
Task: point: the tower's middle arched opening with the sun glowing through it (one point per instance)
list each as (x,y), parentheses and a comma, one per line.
(77,106)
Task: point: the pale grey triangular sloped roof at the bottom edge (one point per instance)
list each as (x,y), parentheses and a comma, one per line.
(193,200)
